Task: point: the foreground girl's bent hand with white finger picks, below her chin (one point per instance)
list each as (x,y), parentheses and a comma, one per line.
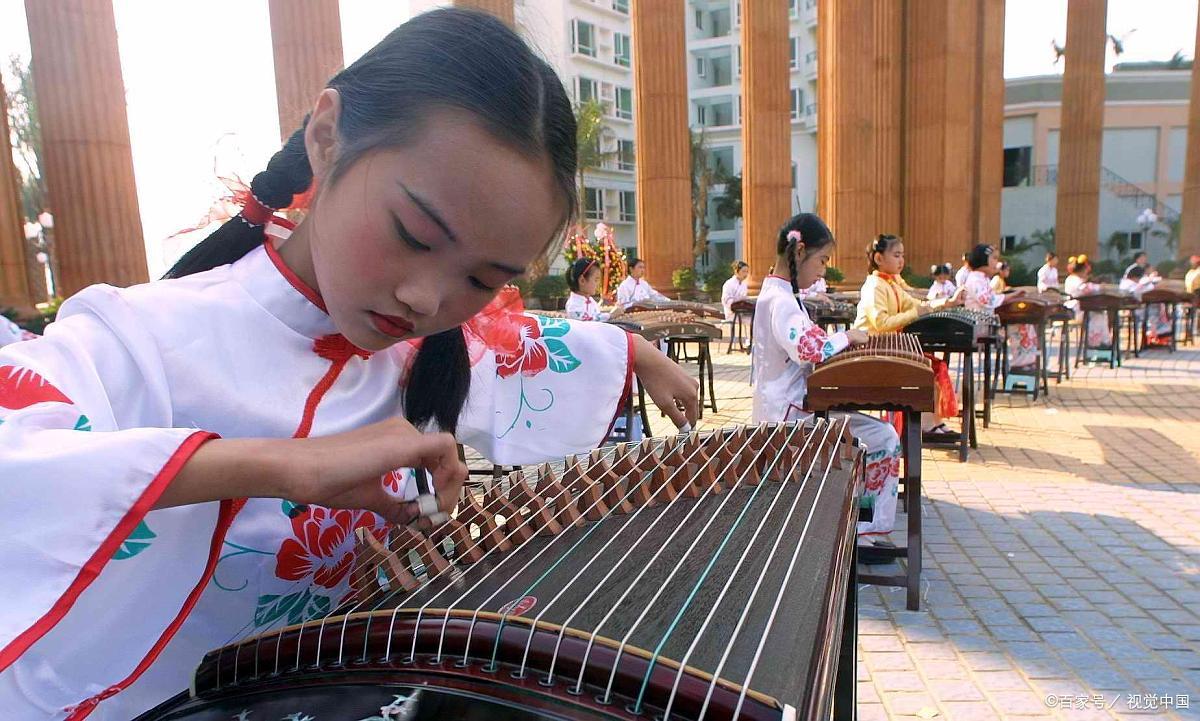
(346,471)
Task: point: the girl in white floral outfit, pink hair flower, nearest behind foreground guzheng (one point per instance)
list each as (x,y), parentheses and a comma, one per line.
(787,347)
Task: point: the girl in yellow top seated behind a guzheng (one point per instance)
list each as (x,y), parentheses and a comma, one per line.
(887,307)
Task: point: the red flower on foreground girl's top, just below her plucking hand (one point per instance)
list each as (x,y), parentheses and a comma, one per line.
(323,548)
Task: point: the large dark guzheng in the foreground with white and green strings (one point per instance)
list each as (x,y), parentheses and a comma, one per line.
(703,576)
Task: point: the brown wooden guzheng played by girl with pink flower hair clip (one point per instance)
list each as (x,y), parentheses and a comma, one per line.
(890,371)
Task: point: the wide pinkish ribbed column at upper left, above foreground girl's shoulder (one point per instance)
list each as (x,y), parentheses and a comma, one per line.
(86,143)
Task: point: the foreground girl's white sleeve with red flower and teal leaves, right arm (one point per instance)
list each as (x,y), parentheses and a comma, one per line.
(555,394)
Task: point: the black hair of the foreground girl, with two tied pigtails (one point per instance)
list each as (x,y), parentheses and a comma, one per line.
(448,58)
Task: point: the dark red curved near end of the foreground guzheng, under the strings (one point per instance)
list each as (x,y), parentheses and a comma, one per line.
(454,674)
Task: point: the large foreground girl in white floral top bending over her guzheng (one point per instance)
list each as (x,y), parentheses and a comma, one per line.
(190,460)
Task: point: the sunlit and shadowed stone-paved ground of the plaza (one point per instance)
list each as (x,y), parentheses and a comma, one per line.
(1063,561)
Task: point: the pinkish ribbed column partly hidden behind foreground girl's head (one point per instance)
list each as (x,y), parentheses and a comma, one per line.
(307,41)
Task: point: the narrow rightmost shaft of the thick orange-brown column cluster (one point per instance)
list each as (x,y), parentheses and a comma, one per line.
(991,128)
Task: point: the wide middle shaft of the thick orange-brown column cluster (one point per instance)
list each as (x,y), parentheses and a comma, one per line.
(941,116)
